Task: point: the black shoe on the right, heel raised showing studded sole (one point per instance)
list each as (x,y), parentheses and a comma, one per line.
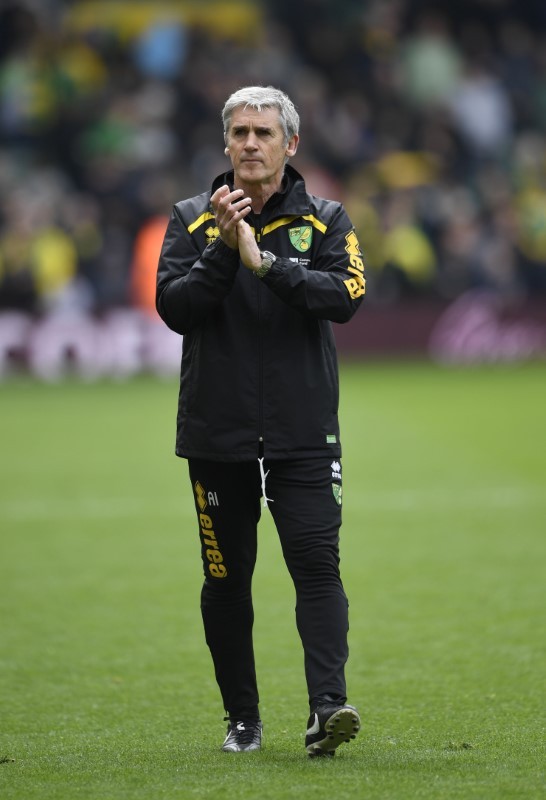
(328,727)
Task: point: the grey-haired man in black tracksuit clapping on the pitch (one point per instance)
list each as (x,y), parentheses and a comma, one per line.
(251,273)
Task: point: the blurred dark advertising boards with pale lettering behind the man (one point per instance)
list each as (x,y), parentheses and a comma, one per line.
(476,328)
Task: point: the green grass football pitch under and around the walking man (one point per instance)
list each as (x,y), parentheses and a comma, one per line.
(106,689)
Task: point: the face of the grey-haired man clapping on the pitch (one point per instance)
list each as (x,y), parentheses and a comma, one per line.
(256,146)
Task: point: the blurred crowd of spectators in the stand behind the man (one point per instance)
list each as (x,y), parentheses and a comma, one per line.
(428,121)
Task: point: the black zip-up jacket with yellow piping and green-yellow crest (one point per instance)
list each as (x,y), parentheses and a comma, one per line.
(259,368)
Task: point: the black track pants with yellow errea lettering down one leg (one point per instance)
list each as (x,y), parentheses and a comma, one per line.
(307,514)
